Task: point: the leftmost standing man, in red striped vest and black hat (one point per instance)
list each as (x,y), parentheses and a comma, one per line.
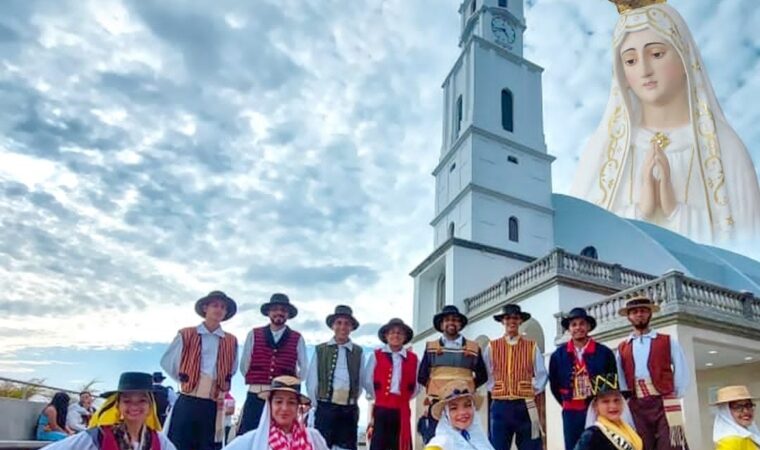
(202,359)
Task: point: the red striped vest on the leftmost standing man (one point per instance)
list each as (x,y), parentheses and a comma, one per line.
(190,361)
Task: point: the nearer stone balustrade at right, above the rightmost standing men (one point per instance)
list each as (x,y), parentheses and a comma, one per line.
(683,298)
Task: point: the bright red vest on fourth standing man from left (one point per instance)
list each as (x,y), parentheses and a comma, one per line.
(384,373)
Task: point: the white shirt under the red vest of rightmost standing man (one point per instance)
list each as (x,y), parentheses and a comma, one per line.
(641,348)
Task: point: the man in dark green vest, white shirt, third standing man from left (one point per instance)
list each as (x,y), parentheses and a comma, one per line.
(334,382)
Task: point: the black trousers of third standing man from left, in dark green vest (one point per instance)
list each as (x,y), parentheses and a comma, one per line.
(338,424)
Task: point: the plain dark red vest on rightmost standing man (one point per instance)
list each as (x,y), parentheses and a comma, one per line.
(659,364)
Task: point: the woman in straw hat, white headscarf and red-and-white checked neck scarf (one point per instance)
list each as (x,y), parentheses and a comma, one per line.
(280,427)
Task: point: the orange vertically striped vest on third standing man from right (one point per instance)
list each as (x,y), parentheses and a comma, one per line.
(513,368)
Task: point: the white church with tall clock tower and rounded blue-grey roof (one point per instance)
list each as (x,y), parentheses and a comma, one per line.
(501,236)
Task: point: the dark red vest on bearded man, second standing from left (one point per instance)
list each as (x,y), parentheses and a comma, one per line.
(270,360)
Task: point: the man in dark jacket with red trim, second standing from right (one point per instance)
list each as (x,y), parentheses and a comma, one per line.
(572,367)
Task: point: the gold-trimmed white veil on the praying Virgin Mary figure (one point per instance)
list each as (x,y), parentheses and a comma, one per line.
(722,163)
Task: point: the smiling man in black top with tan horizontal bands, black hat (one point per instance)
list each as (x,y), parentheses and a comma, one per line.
(449,357)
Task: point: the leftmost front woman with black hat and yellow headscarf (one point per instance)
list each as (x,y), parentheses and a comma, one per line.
(126,421)
